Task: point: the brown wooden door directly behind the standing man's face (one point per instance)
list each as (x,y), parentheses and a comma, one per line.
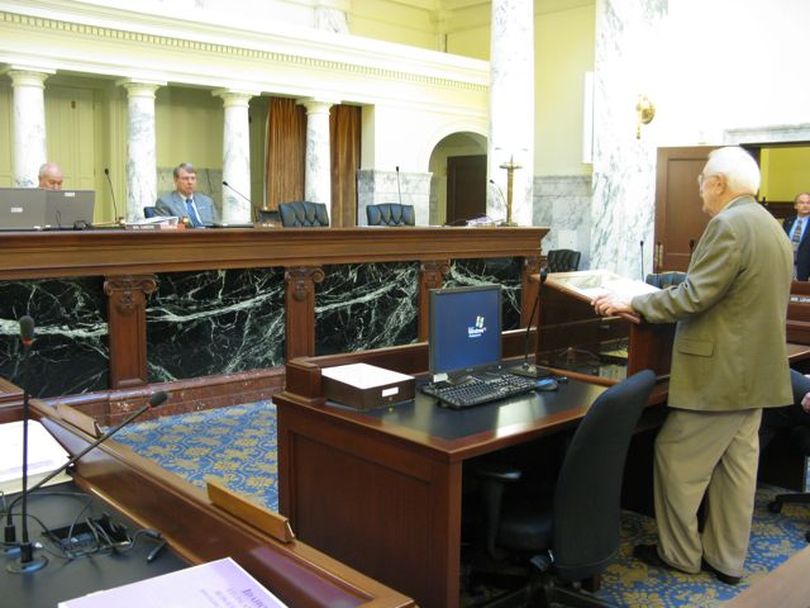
(679,219)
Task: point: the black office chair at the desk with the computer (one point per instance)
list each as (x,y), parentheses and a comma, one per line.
(572,542)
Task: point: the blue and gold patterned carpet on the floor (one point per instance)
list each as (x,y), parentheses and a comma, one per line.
(237,445)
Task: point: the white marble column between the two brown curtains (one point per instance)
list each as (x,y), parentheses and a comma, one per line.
(318,172)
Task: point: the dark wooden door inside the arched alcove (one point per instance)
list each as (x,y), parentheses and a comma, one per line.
(466,187)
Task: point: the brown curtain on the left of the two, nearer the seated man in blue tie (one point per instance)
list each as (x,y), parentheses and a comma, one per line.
(286,151)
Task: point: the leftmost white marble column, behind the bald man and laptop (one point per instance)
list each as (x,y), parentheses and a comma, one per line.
(28,112)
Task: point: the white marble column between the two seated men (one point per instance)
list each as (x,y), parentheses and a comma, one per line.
(141,154)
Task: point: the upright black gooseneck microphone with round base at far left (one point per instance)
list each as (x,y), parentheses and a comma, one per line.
(26,561)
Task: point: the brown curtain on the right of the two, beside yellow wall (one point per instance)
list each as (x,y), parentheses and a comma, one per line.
(344,134)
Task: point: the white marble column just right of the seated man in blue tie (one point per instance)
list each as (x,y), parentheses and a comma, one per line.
(236,206)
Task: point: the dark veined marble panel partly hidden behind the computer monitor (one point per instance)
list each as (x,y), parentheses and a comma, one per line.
(505,271)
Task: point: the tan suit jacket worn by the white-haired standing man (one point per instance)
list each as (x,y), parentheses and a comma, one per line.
(730,348)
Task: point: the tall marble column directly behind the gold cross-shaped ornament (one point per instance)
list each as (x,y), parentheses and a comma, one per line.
(511,129)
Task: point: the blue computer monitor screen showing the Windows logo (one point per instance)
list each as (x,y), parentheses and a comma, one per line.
(465,328)
